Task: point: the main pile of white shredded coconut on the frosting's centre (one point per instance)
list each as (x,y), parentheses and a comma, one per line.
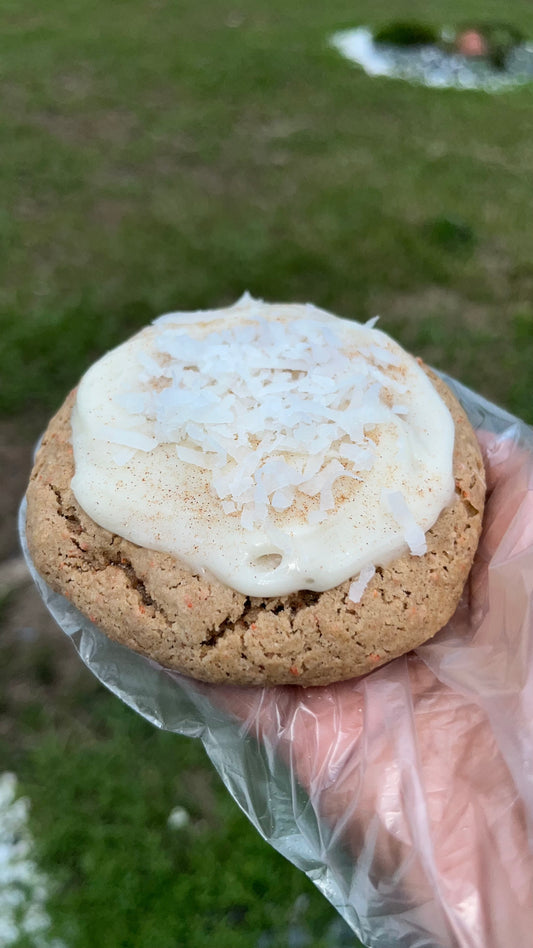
(273,410)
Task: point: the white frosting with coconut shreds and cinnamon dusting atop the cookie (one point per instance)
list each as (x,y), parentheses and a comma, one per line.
(276,447)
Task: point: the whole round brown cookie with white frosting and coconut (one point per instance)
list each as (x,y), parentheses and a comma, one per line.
(265,494)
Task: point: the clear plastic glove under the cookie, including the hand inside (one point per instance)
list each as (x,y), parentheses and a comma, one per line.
(407,795)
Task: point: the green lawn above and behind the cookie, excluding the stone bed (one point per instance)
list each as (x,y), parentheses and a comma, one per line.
(155,161)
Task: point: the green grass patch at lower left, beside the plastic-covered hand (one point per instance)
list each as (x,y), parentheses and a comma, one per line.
(124,875)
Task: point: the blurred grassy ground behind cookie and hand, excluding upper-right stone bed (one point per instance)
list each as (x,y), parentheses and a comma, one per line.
(164,155)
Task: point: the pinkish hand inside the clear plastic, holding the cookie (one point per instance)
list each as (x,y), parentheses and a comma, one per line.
(425,780)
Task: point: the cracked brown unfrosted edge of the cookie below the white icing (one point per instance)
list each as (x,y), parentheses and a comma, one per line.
(151,603)
